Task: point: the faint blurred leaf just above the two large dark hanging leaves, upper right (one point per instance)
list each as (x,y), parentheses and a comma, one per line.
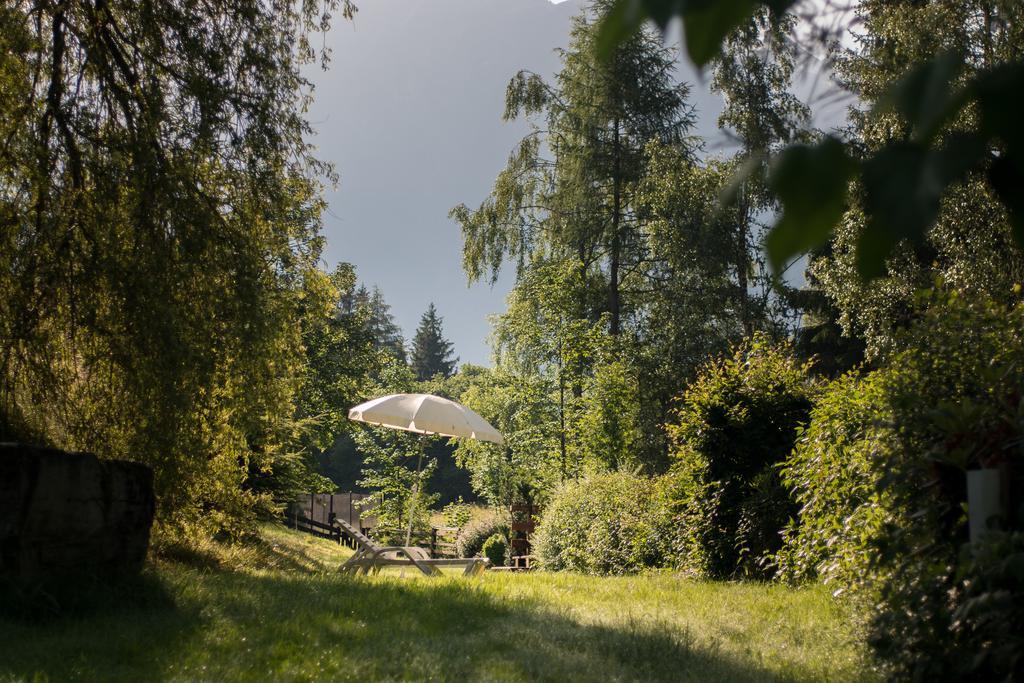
(927,96)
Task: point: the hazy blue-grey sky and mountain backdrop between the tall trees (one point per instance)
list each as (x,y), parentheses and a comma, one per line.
(410,113)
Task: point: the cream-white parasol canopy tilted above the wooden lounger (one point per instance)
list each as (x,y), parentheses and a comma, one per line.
(425,414)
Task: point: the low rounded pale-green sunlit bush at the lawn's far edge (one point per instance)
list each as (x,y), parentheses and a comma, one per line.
(608,524)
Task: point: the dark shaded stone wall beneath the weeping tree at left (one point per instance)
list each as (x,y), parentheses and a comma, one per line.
(71,515)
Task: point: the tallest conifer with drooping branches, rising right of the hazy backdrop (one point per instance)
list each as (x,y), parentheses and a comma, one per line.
(579,204)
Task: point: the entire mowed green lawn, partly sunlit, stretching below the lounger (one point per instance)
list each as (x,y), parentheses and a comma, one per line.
(278,611)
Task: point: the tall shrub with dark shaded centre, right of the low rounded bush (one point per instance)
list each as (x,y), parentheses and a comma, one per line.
(739,421)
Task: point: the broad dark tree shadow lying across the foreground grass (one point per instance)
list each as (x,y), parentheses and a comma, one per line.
(240,627)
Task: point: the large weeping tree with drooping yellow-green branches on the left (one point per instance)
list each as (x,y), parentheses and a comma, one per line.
(159,220)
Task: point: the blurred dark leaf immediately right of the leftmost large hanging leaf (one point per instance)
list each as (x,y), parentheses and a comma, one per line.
(904,187)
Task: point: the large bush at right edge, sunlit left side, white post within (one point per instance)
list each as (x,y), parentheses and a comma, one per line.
(880,476)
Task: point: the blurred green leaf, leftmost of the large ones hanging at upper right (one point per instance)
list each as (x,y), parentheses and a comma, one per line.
(812,184)
